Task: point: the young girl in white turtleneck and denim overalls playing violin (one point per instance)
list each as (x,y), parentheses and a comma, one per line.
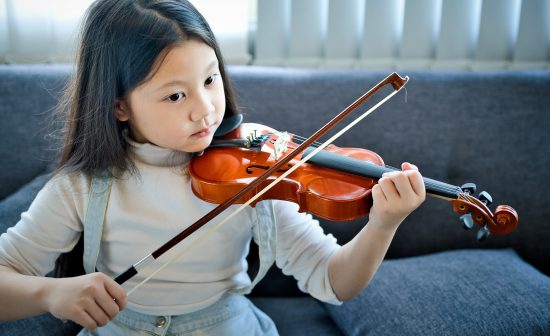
(150,88)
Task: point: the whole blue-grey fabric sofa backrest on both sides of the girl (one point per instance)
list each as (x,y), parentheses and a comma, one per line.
(489,128)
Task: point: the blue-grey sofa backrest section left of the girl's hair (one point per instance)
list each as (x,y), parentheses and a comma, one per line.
(28,96)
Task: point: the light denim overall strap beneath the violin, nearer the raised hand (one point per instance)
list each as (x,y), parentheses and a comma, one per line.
(265,236)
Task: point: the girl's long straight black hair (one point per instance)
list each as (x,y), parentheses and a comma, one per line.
(121,43)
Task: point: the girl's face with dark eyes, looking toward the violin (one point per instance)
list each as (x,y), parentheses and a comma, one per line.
(182,104)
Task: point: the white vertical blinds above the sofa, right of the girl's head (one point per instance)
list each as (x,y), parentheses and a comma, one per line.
(411,34)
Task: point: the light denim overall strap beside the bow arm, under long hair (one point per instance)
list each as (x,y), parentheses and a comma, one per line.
(94,218)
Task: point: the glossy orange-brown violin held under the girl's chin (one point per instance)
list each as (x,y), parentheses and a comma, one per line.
(334,184)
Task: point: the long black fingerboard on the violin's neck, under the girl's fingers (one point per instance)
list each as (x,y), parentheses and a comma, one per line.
(370,170)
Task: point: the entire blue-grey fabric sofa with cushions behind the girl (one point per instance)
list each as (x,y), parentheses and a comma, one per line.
(492,129)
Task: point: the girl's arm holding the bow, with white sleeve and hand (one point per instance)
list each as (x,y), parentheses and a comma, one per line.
(28,251)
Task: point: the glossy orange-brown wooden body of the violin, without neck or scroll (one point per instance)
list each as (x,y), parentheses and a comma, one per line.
(221,172)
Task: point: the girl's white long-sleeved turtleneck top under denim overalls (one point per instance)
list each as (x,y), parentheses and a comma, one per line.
(144,211)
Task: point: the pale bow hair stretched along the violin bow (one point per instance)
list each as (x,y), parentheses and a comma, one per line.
(209,231)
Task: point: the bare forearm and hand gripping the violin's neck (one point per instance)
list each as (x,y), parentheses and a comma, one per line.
(396,195)
